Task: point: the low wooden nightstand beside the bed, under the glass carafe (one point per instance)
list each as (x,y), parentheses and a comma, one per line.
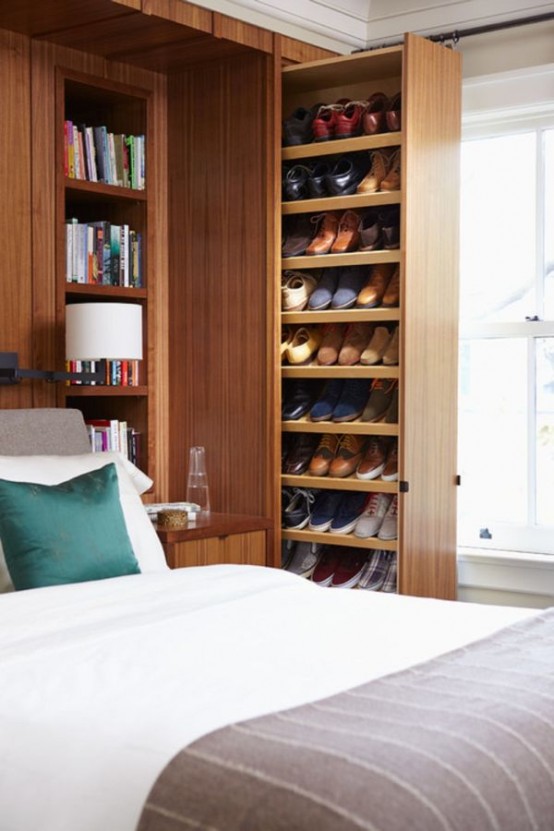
(220,538)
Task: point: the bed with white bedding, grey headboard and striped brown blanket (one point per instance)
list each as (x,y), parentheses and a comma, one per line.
(222,696)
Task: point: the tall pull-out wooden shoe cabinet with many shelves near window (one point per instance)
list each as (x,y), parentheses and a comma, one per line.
(428,77)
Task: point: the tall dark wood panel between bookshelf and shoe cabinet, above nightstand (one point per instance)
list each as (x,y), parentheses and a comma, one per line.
(218,281)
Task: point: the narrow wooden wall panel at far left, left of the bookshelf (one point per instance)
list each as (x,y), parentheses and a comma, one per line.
(16,322)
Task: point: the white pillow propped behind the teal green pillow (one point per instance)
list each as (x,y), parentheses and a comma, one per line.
(51,470)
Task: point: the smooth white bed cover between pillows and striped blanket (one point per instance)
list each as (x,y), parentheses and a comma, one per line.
(102,683)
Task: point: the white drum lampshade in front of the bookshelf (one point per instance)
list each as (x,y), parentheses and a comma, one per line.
(98,331)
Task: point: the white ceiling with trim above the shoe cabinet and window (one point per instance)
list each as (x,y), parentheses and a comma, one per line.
(347,25)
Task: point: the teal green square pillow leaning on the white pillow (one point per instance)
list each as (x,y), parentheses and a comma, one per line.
(66,533)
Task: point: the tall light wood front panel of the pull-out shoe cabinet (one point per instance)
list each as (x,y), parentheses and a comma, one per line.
(428,408)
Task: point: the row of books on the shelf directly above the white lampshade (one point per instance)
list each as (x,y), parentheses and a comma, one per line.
(104,253)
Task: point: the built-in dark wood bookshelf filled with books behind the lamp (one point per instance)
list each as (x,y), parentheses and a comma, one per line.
(102,214)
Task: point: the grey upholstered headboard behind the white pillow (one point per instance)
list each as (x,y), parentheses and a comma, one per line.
(46,432)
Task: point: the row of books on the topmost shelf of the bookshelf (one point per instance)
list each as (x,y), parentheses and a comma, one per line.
(94,154)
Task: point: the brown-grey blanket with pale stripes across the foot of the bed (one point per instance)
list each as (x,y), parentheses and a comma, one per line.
(464,742)
